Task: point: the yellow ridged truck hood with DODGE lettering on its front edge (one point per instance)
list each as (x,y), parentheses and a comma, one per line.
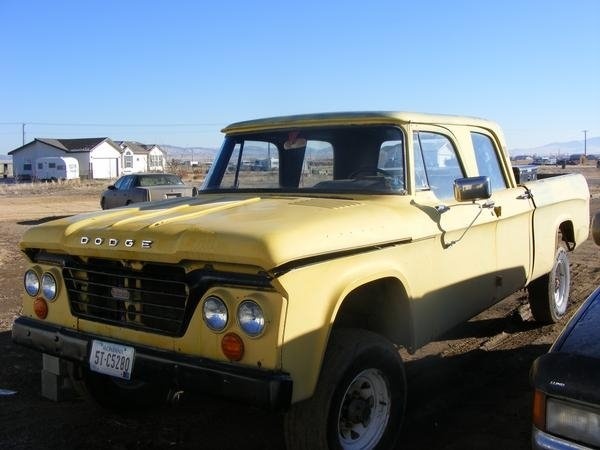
(266,232)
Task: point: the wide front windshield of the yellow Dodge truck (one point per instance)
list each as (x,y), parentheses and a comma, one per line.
(334,159)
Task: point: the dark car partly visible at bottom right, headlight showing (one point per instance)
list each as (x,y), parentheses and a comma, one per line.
(566,381)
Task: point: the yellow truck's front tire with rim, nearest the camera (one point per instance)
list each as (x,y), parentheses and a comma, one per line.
(359,399)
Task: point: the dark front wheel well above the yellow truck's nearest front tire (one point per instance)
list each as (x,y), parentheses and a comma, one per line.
(380,306)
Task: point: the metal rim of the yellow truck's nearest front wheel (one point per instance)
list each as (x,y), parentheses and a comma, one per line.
(365,411)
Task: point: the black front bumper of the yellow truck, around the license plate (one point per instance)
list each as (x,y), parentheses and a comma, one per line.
(266,389)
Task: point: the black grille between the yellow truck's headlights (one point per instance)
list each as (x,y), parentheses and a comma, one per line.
(153,299)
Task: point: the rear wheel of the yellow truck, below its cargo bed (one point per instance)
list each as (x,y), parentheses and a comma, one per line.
(549,294)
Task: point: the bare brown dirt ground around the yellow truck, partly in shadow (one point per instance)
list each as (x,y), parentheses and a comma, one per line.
(468,390)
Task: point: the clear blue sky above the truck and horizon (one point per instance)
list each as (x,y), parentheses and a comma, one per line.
(176,72)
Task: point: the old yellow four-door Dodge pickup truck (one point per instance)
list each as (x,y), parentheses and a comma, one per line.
(318,246)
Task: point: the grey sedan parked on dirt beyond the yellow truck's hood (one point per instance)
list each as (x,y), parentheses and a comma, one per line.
(143,187)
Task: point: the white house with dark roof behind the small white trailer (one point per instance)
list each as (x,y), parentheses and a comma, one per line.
(98,158)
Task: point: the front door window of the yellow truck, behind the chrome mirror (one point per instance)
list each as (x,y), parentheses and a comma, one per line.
(436,164)
